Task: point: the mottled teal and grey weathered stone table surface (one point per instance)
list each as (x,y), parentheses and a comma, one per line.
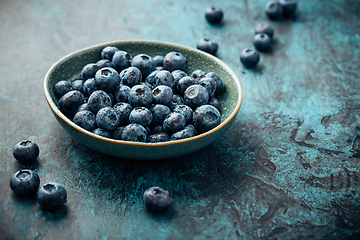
(287,169)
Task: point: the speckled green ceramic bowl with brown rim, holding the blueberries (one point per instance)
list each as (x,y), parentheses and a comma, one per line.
(70,66)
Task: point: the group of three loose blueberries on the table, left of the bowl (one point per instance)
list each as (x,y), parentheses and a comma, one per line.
(26,182)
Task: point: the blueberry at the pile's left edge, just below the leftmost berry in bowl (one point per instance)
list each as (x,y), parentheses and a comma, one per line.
(70,101)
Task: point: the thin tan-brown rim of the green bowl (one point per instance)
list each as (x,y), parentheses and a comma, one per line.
(62,116)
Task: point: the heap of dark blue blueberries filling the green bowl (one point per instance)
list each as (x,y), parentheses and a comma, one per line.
(142,98)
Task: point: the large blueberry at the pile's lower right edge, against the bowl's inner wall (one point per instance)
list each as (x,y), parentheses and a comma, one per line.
(205,118)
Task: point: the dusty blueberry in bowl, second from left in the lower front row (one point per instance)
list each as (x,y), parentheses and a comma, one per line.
(108,118)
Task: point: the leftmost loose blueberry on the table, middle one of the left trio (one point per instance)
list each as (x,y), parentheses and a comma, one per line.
(25,182)
